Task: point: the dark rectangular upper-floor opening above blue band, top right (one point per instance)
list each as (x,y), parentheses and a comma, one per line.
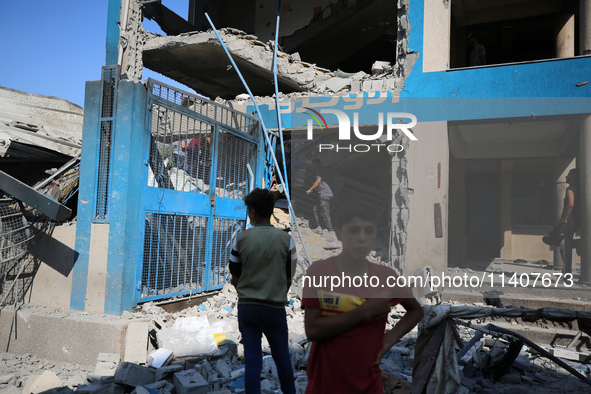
(518,32)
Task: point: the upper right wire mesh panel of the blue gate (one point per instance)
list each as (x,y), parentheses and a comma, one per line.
(236,165)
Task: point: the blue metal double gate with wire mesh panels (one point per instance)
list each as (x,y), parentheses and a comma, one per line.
(202,158)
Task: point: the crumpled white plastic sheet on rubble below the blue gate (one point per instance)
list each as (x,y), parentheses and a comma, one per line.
(189,336)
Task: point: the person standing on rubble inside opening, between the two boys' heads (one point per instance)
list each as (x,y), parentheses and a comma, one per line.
(321,209)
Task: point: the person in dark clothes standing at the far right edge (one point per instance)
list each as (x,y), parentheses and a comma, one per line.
(570,219)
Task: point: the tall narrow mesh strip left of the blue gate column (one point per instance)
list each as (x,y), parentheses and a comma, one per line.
(110,79)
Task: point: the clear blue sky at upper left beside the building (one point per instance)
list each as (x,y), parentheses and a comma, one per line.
(52,47)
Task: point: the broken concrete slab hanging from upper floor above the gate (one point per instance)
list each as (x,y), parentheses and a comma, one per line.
(199,61)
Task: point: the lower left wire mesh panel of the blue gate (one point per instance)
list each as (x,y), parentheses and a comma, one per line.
(174,254)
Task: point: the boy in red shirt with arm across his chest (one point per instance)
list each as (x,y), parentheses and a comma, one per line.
(347,300)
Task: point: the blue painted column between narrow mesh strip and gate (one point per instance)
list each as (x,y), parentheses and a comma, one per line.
(125,244)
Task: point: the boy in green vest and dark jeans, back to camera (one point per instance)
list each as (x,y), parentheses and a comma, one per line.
(262,265)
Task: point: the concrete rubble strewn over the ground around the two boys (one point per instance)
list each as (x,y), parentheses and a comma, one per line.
(220,369)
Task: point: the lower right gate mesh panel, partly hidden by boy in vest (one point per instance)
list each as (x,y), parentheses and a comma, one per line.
(224,231)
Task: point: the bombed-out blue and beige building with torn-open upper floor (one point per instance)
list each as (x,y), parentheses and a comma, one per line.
(484,180)
